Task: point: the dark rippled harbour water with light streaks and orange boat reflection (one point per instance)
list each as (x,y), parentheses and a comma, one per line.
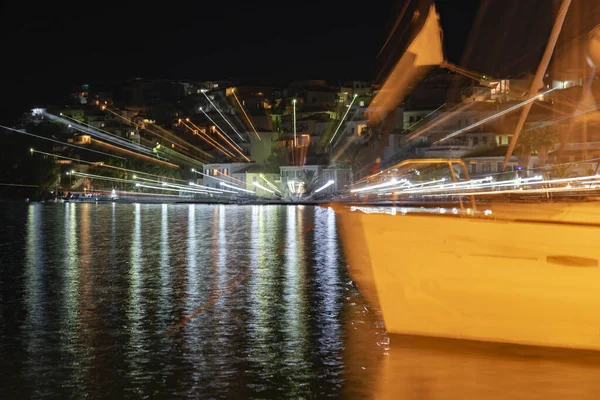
(201,301)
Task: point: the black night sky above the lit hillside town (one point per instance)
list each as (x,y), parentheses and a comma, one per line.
(49,46)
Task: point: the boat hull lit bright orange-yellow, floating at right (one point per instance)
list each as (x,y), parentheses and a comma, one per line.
(502,280)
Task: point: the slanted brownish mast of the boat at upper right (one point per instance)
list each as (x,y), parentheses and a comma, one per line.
(537,82)
